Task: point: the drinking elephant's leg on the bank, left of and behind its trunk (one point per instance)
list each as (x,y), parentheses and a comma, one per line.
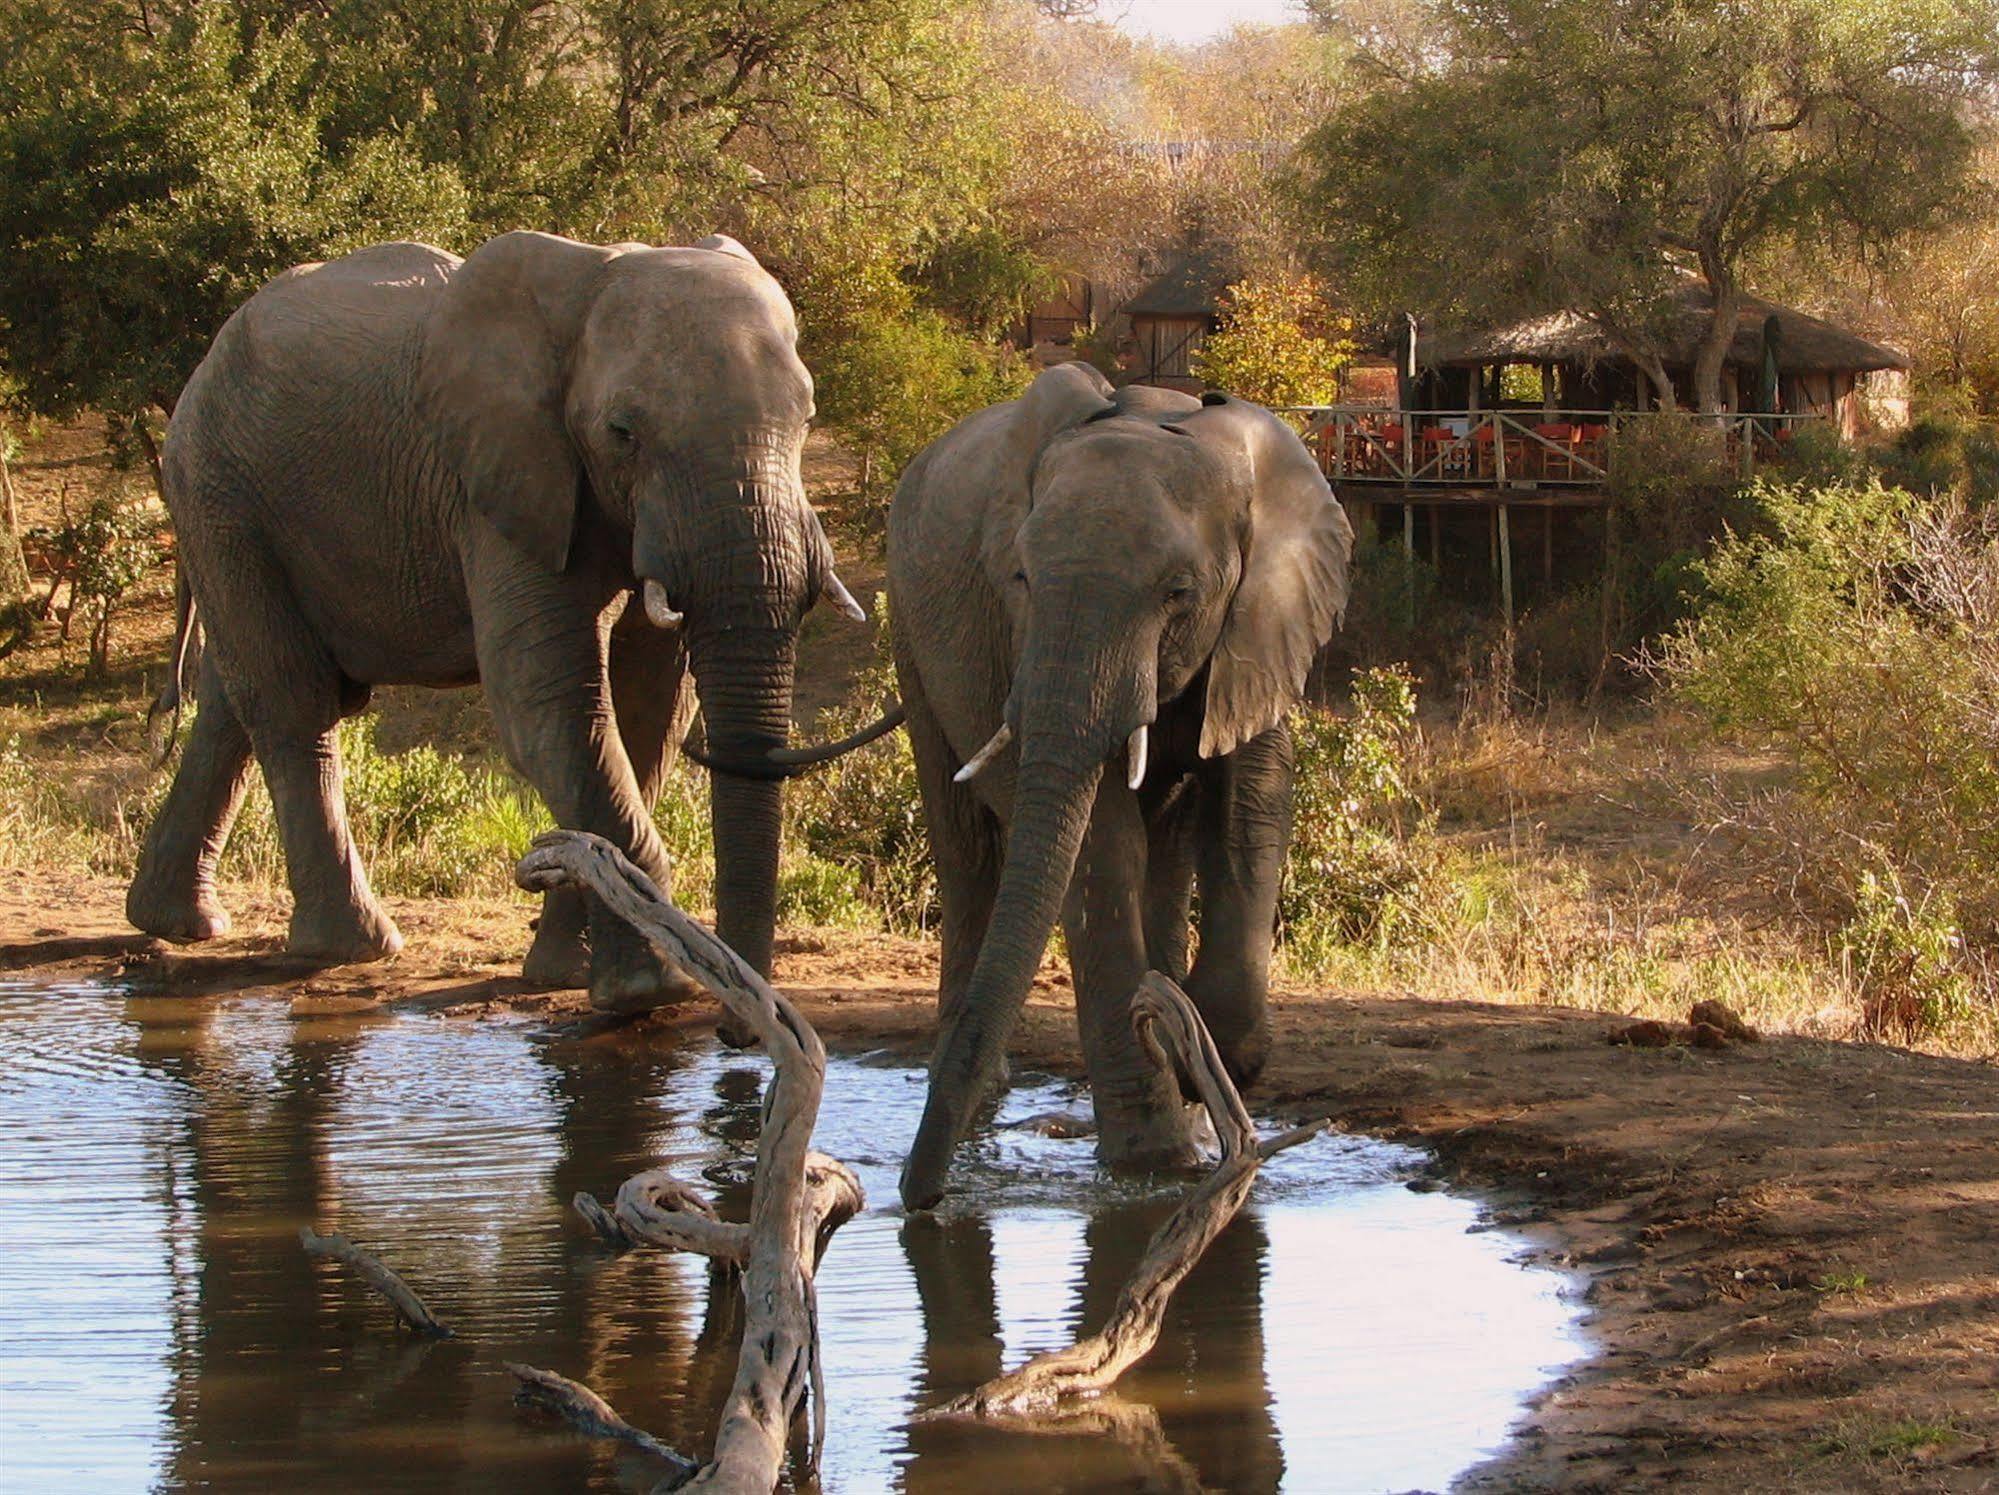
(965,844)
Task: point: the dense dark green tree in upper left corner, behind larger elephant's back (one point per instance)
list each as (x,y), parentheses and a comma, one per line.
(151,179)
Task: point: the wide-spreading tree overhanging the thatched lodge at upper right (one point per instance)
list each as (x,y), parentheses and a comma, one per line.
(1584,155)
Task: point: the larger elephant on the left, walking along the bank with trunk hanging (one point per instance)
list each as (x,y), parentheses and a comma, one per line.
(411,469)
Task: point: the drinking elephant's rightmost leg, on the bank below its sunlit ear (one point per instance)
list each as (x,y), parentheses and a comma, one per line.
(1244,834)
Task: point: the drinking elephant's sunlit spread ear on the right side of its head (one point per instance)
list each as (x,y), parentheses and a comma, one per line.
(1294,585)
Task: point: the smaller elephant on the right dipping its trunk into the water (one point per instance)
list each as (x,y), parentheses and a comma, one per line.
(1078,565)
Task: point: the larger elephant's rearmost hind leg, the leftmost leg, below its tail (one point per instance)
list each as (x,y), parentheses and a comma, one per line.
(175,888)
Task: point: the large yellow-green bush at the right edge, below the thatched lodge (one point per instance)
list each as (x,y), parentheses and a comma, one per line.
(1854,633)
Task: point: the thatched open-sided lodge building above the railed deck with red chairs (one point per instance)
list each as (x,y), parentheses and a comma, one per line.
(1820,369)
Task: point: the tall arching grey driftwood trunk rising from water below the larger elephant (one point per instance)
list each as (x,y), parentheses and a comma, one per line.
(781,1346)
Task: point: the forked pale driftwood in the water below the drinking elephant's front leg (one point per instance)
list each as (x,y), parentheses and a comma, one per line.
(1164,1020)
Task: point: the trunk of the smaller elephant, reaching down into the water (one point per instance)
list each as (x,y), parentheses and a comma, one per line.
(1078,707)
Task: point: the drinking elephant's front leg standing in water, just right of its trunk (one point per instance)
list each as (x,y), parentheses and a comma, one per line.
(1140,1118)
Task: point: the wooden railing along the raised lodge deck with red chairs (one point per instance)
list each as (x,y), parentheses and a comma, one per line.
(1502,449)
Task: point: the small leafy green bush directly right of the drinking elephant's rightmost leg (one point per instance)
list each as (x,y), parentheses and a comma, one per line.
(1364,866)
